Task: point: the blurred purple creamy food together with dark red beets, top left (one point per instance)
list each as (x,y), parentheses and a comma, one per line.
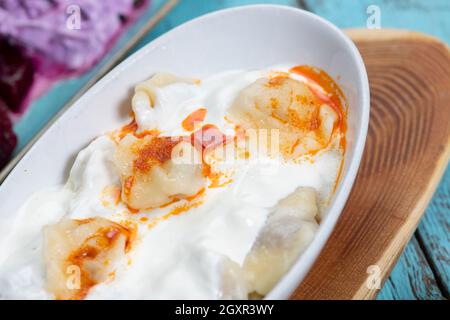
(42,41)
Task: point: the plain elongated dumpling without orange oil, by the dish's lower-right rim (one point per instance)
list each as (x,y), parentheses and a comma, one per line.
(286,234)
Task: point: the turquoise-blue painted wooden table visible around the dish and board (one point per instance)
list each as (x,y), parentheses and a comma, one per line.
(423,271)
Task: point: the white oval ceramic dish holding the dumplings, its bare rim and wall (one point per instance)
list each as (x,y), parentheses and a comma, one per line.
(248,37)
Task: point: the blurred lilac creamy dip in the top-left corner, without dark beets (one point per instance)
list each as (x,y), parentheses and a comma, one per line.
(69,34)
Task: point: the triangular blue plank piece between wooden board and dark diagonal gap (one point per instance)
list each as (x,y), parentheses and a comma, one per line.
(412,277)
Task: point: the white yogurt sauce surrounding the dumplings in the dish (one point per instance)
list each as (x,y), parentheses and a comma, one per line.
(181,257)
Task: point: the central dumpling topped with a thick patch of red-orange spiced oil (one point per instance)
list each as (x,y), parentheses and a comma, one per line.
(156,171)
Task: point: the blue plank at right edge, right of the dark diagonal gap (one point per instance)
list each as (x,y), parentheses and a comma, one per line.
(434,232)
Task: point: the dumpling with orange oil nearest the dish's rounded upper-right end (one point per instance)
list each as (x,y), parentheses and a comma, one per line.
(304,123)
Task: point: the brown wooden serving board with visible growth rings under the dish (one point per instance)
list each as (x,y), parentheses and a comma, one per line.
(407,151)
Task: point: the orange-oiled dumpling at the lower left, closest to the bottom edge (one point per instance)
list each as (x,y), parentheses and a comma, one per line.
(82,253)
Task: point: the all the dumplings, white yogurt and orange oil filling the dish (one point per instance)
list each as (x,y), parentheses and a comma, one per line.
(213,190)
